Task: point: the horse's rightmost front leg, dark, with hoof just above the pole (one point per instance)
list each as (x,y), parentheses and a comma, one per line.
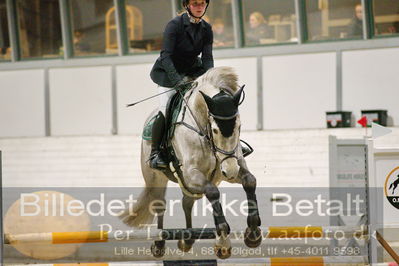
(253,236)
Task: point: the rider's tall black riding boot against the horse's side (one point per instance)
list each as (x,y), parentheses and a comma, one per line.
(156,159)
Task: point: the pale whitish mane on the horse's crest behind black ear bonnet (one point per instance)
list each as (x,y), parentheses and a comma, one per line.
(218,78)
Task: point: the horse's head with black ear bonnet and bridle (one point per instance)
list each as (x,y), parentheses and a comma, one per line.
(224,129)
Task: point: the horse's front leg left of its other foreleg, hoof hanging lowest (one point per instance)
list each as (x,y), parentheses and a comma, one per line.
(198,183)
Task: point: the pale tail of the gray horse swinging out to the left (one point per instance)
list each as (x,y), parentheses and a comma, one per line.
(140,213)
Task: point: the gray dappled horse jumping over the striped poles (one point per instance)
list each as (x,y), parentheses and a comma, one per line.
(206,143)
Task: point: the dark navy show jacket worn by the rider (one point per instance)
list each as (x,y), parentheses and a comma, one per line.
(183,42)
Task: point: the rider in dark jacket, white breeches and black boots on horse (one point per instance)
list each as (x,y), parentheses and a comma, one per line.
(185,37)
